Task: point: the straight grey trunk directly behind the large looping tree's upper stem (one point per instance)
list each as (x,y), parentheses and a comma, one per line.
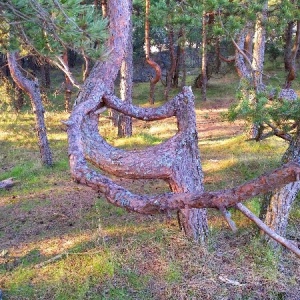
(125,122)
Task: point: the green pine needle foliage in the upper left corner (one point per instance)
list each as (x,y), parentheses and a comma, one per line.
(50,27)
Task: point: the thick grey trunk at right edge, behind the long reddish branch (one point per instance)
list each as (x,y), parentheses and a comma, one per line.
(277,205)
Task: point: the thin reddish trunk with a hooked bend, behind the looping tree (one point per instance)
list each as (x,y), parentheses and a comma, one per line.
(149,61)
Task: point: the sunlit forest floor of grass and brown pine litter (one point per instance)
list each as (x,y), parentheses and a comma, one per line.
(60,240)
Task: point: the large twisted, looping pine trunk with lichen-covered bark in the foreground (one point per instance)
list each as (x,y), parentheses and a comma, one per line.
(177,160)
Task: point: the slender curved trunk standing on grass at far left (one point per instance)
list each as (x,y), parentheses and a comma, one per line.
(31,87)
